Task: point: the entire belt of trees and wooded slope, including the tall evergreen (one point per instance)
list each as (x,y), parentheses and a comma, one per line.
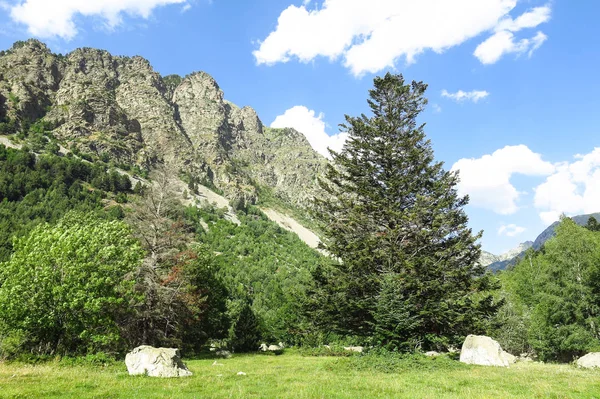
(91,263)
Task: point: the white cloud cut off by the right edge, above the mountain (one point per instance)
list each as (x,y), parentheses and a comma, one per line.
(574,188)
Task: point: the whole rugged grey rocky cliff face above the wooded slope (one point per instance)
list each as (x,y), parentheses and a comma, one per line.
(120,109)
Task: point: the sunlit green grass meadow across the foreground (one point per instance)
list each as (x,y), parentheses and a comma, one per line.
(295,376)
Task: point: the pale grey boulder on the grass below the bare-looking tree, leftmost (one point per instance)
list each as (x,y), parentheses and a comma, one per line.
(156,362)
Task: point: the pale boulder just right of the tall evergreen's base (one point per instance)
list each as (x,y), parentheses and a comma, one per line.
(484,351)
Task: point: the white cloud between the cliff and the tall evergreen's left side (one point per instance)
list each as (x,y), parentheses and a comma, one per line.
(313,127)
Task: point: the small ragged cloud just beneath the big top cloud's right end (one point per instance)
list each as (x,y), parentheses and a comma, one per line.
(503,42)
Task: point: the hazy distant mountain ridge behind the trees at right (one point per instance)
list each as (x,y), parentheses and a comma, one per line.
(501,262)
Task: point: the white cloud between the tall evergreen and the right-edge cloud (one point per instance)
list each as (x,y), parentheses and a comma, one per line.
(487,179)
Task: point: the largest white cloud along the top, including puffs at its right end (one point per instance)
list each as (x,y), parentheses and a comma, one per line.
(371,35)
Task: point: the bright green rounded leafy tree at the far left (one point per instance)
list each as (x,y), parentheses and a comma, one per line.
(65,288)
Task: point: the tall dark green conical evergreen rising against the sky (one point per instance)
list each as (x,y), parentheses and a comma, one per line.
(407,273)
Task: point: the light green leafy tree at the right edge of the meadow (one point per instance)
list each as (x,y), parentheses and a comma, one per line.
(559,290)
